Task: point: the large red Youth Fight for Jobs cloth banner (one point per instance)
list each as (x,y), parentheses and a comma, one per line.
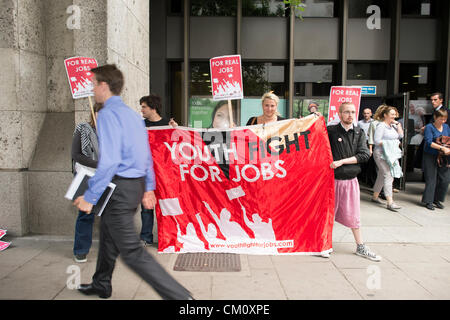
(246,190)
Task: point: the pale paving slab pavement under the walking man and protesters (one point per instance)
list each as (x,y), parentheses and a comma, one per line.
(414,244)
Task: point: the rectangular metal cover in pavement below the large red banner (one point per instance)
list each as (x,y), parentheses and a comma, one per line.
(208,262)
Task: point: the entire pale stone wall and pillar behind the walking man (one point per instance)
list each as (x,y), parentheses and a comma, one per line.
(37,110)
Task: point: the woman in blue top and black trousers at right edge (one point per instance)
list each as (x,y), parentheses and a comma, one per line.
(436,160)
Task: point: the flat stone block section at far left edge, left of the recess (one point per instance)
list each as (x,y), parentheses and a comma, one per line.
(23,104)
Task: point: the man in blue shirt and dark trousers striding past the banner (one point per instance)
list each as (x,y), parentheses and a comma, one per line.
(125,159)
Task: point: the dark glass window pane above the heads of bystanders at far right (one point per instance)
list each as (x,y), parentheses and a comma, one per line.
(418,79)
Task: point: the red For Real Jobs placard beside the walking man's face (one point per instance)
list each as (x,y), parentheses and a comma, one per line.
(79,74)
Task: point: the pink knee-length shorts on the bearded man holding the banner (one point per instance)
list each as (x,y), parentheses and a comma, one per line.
(347,203)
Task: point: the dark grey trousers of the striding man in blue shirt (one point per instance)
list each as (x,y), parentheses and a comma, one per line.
(118,236)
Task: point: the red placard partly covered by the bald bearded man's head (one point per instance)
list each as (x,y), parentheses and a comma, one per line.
(339,95)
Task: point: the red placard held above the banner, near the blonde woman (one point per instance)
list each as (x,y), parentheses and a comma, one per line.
(226,77)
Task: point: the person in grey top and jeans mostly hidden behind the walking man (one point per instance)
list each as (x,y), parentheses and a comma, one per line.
(85,153)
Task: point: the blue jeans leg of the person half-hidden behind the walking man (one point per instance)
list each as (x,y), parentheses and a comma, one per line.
(83,233)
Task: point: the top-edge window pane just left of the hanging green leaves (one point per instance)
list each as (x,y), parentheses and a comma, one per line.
(263,8)
